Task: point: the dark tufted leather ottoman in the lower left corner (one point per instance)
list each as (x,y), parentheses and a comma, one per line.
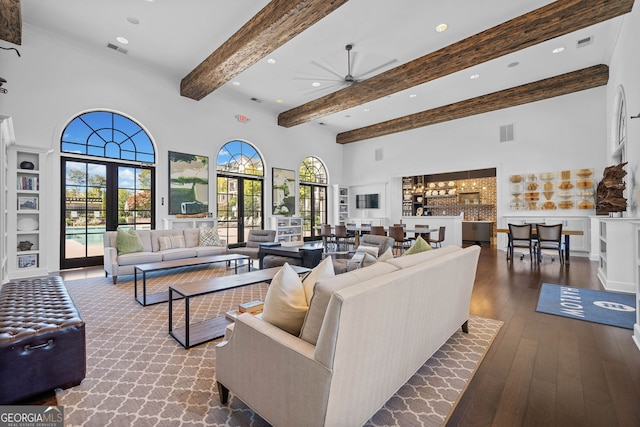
(42,339)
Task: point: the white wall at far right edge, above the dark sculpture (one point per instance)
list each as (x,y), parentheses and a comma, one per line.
(625,72)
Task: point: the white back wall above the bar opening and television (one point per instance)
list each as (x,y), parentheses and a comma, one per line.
(566,132)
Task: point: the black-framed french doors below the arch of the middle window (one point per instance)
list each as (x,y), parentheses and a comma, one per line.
(239,207)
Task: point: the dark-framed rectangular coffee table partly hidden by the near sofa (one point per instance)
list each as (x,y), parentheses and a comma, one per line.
(211,329)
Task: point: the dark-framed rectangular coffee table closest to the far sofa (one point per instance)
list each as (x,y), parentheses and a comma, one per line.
(160,297)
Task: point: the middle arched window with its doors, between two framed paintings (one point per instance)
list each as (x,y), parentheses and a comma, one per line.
(240,190)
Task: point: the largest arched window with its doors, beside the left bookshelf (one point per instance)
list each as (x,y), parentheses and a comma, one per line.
(109,181)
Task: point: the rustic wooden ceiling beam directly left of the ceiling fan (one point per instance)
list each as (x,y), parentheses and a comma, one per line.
(277,23)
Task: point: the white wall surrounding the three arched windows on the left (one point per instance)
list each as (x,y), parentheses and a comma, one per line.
(52,82)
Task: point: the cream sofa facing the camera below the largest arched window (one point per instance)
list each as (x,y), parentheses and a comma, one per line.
(119,265)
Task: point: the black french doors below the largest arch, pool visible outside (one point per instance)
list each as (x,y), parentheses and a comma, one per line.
(101,196)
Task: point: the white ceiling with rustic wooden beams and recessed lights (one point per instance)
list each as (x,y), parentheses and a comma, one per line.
(245,51)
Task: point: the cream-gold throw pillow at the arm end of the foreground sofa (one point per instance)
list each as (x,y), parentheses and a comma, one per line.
(285,304)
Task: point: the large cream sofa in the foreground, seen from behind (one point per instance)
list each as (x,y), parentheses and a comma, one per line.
(365,334)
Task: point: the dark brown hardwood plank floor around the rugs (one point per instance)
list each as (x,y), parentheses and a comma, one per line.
(542,370)
